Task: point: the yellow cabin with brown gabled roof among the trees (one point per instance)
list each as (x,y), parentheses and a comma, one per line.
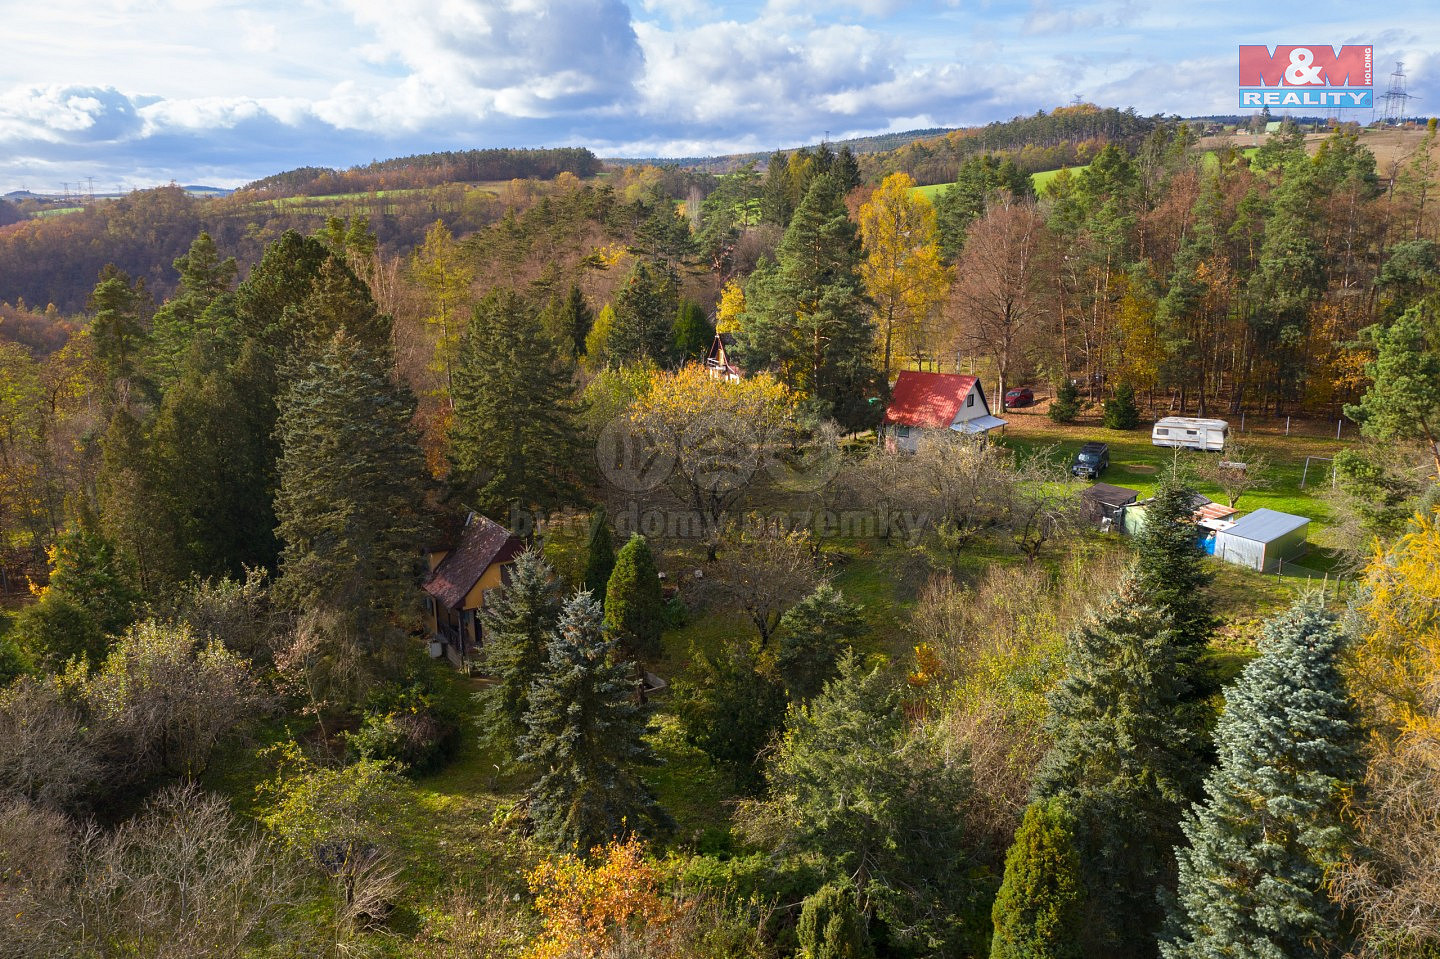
(459,585)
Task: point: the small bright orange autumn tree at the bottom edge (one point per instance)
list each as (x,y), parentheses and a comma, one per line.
(611,906)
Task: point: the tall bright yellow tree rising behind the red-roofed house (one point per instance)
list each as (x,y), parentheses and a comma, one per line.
(902,270)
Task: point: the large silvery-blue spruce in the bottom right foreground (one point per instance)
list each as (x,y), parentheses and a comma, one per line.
(1254,875)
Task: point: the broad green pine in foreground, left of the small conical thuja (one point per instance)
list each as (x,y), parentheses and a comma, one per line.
(853,787)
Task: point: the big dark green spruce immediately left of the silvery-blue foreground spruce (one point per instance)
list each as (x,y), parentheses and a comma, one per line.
(1124,757)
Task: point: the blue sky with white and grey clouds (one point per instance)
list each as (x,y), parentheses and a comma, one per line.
(125,94)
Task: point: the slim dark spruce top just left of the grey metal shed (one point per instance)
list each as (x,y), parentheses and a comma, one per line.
(1171,575)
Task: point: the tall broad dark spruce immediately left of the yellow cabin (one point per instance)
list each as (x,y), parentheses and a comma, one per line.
(351,487)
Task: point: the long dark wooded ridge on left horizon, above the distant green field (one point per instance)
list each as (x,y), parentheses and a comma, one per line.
(433,169)
